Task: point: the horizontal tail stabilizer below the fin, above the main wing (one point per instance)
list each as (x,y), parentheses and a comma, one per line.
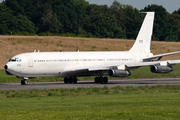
(158,57)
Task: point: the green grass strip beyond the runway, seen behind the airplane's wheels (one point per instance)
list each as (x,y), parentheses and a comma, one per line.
(143,72)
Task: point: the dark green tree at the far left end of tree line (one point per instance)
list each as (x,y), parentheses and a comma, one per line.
(11,24)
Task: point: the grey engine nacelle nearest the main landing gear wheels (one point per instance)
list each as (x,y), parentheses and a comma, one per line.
(118,73)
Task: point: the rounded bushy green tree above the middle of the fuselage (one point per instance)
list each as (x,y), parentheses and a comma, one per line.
(103,26)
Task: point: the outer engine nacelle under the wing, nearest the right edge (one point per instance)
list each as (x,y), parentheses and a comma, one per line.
(161,69)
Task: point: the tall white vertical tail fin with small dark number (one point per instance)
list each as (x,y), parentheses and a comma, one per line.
(143,40)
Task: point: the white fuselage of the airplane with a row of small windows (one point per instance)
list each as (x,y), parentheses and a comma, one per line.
(49,64)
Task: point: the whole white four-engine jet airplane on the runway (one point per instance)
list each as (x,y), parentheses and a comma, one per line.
(71,65)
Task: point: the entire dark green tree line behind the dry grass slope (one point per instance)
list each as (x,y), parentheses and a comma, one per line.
(79,18)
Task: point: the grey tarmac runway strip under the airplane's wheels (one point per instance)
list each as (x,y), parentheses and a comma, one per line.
(111,83)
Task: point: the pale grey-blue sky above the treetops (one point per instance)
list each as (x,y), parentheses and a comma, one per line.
(170,5)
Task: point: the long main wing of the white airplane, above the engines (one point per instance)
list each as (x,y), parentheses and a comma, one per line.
(93,70)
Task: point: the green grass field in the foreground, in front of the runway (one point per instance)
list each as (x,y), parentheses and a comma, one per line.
(136,103)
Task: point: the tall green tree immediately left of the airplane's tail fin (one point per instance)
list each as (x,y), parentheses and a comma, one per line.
(128,18)
